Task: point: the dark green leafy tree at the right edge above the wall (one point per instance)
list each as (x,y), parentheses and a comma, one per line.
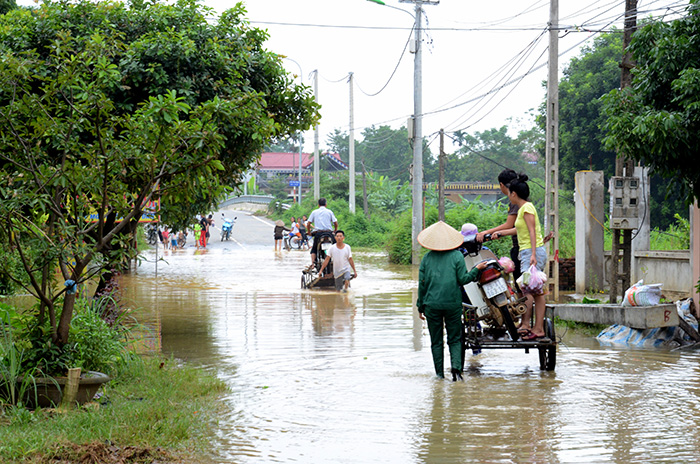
(656,120)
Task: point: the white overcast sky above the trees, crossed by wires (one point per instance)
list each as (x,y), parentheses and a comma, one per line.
(471,48)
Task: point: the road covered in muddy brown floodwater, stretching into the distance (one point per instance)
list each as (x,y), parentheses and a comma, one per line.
(322,377)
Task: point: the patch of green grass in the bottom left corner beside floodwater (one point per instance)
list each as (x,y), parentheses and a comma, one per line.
(157,410)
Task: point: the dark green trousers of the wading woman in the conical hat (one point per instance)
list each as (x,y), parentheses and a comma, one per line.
(451,320)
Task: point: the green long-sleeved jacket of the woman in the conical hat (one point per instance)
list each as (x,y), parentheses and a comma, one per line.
(441,275)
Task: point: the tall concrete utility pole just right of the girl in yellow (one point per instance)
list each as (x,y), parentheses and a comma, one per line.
(551,200)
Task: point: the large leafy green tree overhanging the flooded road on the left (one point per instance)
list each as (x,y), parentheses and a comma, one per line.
(107,106)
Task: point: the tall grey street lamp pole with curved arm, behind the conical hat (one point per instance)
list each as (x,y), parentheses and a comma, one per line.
(417,203)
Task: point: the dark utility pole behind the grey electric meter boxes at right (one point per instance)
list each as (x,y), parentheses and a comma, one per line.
(623,167)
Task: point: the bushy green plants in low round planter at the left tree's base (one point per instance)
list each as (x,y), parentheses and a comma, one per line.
(33,369)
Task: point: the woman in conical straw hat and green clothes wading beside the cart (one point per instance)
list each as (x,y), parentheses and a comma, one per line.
(442,273)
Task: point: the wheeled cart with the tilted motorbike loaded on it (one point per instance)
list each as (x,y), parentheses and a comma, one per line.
(492,306)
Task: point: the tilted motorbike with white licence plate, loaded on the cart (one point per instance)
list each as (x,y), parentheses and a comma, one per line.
(494,304)
